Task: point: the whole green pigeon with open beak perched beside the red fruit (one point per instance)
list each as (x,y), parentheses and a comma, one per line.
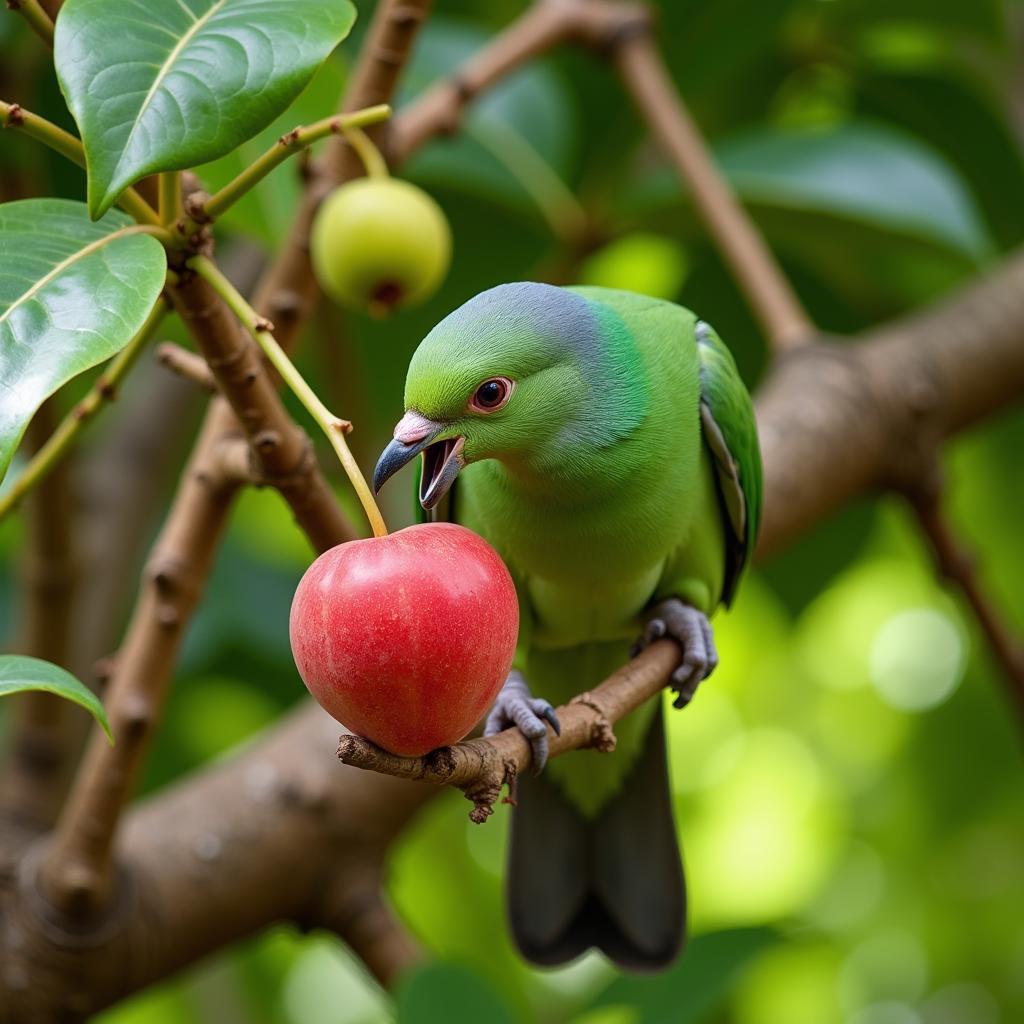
(606,446)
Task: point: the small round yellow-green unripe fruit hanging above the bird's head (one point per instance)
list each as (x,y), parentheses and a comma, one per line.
(380,243)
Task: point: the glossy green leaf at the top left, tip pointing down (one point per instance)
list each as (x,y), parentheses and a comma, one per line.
(164,87)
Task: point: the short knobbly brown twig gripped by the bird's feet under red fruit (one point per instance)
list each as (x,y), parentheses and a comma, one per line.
(481,767)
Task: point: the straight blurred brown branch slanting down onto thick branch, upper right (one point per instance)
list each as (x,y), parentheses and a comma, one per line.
(776,305)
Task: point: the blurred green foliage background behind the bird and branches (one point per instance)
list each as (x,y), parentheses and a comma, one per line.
(849,786)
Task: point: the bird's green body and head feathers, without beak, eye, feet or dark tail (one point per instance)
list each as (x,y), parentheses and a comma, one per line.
(625,470)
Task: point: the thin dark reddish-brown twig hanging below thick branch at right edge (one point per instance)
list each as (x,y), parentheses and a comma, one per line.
(959,567)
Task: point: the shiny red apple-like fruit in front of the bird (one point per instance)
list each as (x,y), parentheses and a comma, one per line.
(407,639)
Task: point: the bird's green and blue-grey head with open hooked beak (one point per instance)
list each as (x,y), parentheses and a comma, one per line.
(510,375)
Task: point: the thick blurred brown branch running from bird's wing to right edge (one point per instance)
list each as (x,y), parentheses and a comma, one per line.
(838,420)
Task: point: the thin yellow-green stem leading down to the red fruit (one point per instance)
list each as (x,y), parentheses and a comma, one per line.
(334,428)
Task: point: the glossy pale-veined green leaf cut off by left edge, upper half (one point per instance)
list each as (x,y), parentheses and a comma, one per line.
(72,294)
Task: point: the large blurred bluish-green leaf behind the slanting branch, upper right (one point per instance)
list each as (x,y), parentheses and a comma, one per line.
(867,208)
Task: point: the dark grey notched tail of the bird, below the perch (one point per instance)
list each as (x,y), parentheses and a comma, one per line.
(616,882)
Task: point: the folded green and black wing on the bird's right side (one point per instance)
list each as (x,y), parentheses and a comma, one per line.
(731,434)
